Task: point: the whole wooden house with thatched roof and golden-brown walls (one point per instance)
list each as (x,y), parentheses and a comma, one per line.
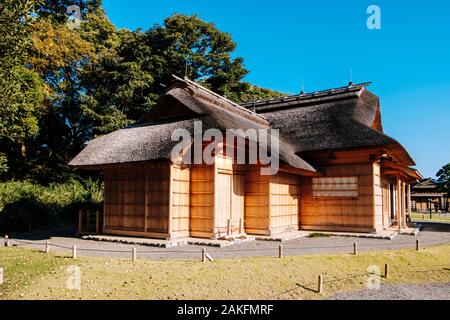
(339,170)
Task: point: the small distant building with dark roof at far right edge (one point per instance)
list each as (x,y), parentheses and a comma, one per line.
(425,194)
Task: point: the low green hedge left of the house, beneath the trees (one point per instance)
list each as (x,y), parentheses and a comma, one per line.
(26,206)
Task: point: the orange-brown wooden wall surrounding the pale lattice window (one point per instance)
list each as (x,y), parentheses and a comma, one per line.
(340,214)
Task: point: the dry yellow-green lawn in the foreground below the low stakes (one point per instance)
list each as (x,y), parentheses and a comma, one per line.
(30,274)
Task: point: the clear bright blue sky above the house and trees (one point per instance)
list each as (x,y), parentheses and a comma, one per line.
(285,41)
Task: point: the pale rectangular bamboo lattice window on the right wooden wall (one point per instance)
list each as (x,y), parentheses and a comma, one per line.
(335,187)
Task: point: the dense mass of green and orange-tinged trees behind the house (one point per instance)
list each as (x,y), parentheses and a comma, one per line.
(65,85)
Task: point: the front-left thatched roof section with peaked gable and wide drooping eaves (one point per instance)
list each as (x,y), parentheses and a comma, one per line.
(184,103)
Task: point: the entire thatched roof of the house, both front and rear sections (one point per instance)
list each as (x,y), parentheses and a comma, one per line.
(342,118)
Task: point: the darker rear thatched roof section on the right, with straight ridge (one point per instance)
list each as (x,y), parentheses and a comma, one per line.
(337,119)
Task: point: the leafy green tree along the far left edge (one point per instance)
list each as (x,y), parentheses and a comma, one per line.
(22,90)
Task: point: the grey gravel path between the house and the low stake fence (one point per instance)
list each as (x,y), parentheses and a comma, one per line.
(431,234)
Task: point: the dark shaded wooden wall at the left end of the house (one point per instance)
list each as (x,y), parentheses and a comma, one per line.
(137,200)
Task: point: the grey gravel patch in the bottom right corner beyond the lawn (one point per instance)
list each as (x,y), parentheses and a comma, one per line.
(400,292)
